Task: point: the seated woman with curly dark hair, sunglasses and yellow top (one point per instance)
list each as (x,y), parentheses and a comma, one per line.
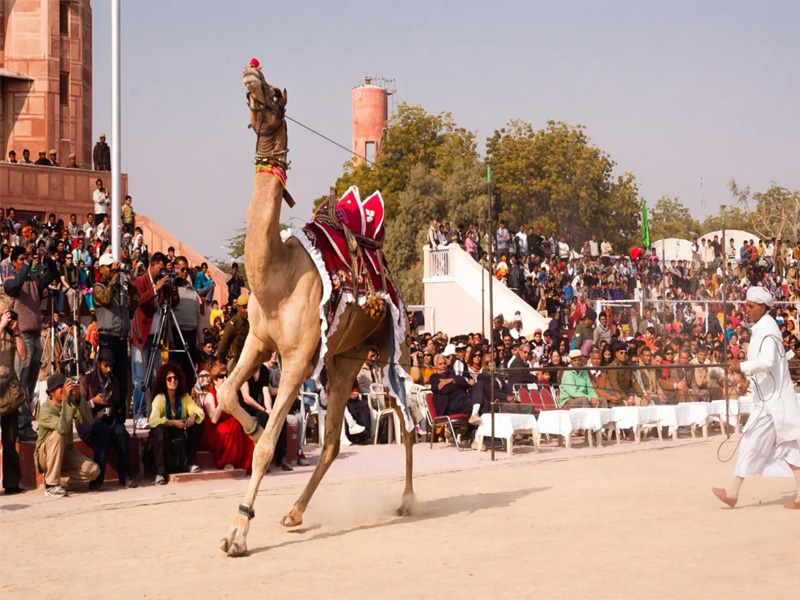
(176,425)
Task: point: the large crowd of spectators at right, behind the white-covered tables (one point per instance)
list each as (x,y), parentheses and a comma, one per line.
(609,309)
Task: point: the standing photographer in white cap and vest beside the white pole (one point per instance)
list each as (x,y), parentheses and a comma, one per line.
(113,298)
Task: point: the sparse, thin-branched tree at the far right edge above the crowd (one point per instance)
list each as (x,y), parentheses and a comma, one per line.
(775,213)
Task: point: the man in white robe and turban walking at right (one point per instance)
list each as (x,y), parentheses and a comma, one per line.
(770,444)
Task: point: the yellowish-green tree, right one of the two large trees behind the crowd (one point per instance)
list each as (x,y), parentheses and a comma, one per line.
(555,175)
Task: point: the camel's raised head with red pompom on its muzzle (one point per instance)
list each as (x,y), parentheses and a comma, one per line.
(267,116)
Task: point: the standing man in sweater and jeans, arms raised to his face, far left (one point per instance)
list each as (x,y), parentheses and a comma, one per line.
(26,291)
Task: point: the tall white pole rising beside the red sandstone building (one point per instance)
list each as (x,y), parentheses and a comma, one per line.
(116,148)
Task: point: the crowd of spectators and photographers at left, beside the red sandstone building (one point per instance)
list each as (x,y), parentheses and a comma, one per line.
(82,342)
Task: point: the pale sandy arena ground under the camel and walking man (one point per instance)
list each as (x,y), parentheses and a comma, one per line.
(619,522)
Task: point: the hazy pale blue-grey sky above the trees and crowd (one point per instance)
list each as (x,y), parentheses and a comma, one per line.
(677,93)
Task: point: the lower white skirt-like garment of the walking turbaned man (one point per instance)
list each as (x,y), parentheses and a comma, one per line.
(760,453)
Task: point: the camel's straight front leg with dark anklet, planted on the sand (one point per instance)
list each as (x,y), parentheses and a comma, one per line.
(235,542)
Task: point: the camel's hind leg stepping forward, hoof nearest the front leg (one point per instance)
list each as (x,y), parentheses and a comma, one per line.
(342,372)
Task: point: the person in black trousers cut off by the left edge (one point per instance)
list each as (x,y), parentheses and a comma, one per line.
(12,396)
